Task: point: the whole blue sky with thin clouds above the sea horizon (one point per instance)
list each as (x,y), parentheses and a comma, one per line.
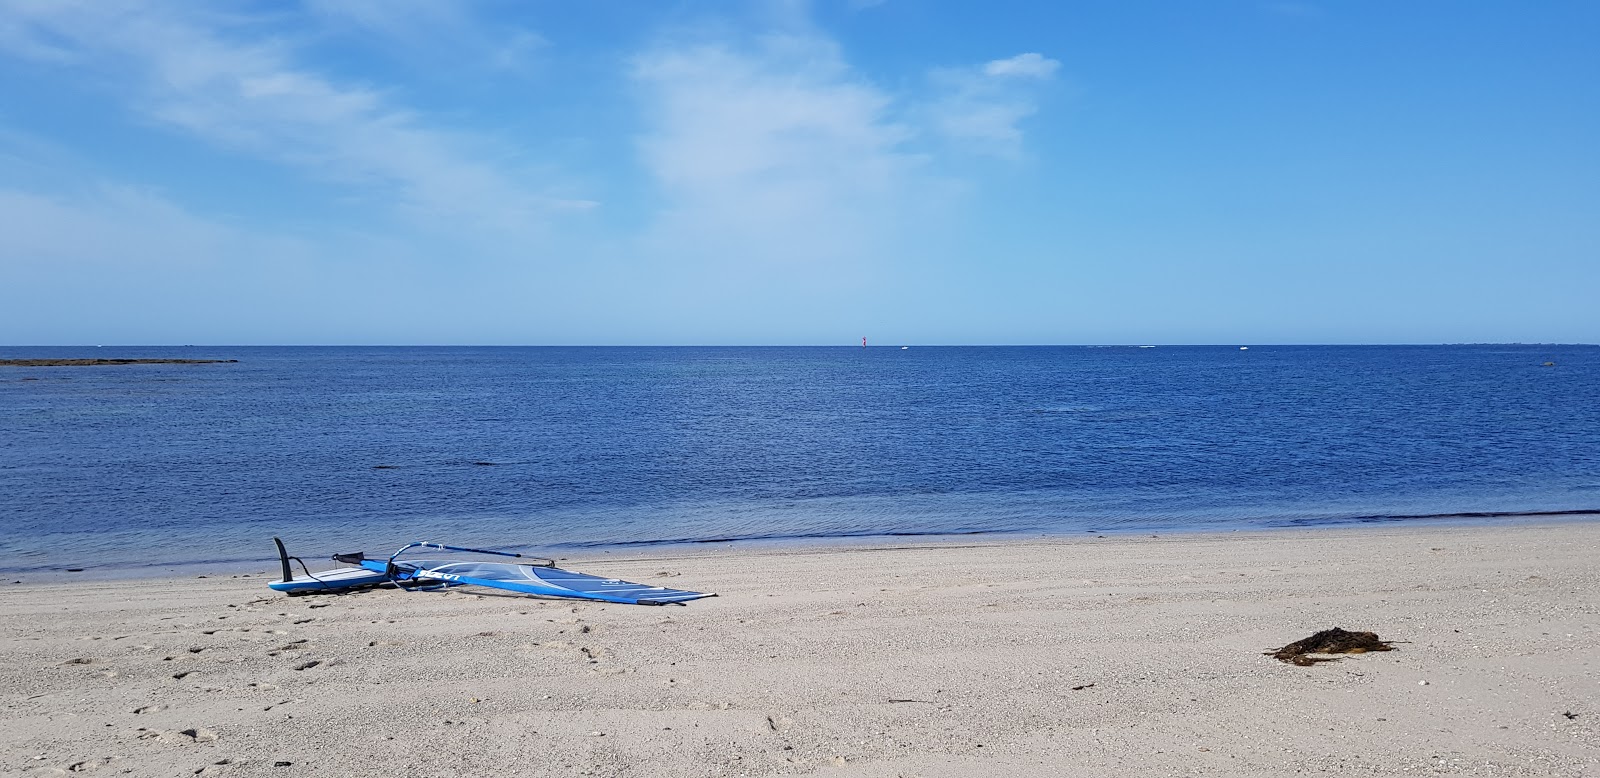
(914,172)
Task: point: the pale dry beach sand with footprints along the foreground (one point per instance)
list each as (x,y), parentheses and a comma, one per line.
(1122,656)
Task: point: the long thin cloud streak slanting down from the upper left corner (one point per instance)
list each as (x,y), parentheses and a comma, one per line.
(225,81)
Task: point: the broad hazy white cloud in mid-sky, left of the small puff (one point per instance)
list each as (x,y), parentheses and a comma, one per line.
(772,154)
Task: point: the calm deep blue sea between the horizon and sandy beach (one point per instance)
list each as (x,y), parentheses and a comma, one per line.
(343,449)
